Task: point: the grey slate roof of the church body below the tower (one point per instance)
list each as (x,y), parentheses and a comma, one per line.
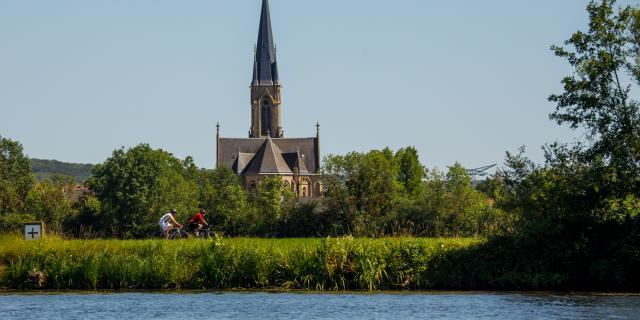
(268,155)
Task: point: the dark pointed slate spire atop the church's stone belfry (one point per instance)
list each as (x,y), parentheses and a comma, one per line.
(265,71)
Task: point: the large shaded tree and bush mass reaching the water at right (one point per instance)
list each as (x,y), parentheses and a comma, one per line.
(577,216)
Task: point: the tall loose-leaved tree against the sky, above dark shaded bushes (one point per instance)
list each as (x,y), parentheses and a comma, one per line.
(596,98)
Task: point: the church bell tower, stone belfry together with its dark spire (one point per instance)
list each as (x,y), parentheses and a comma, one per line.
(265,87)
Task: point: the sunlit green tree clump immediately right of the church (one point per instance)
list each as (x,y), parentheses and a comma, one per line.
(378,193)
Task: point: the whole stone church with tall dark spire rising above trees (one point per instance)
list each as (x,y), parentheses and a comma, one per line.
(266,153)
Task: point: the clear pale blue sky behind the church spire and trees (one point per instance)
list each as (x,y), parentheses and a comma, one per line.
(460,80)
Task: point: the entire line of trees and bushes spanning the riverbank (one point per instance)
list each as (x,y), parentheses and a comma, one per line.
(572,222)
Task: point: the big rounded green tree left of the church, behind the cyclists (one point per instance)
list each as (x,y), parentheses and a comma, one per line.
(137,186)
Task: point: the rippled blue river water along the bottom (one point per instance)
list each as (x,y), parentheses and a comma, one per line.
(352,306)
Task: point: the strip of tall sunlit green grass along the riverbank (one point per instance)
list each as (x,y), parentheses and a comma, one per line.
(312,264)
